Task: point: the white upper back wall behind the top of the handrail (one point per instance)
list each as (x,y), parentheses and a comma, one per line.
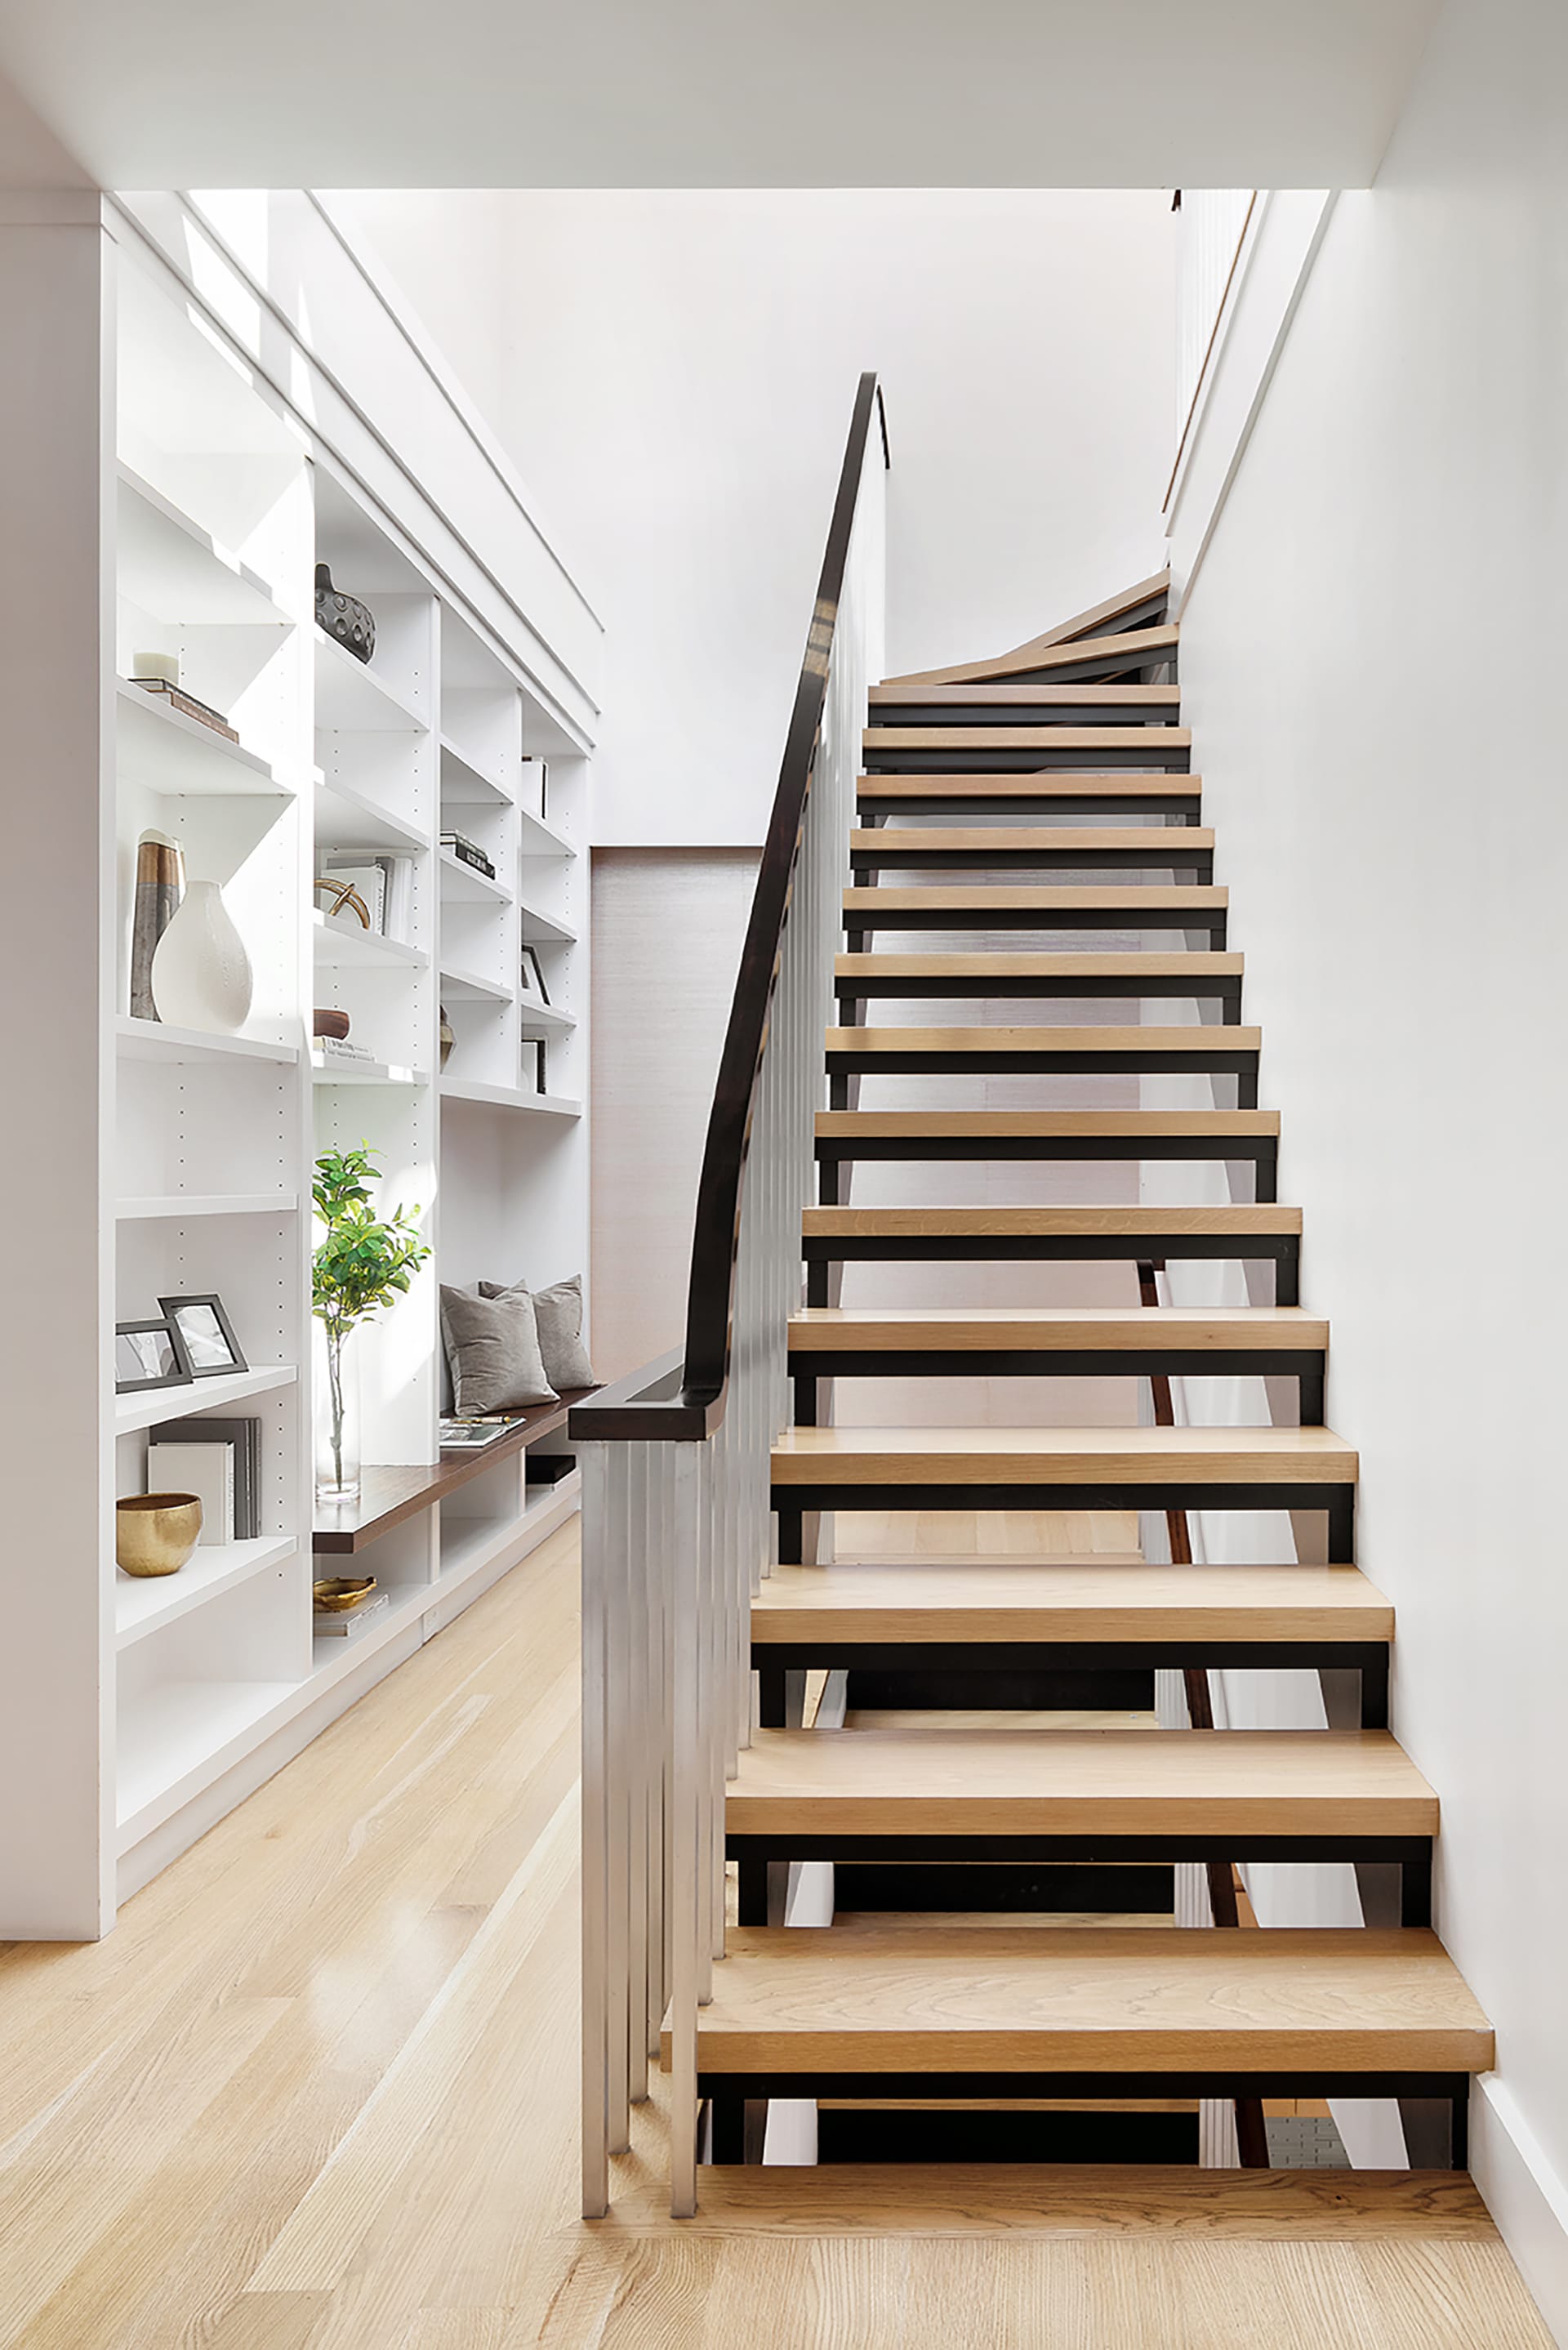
(678,389)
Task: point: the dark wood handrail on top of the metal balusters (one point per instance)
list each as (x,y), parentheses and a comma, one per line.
(655,1402)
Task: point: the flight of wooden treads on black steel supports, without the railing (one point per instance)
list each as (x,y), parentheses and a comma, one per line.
(934,2025)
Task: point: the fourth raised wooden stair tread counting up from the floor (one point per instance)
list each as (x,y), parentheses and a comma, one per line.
(1061,1458)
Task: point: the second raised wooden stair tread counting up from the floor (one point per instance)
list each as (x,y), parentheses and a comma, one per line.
(1078,1782)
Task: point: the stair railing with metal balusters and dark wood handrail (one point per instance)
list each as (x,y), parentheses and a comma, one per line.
(678,1458)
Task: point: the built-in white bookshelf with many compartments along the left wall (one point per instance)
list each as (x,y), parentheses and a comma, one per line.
(232,474)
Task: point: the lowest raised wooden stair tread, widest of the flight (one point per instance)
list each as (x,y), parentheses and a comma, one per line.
(1085,2001)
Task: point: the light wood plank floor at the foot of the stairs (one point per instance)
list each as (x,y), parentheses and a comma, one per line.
(319,2093)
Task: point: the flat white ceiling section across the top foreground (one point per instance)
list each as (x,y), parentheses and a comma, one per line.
(713,93)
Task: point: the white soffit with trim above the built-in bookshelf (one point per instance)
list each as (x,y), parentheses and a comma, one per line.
(288,286)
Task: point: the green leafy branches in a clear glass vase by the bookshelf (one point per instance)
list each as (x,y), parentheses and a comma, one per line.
(361,1265)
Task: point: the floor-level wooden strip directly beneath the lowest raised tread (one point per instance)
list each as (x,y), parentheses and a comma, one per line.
(1064,2201)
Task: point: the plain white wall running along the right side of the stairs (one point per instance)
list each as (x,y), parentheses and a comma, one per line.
(1369,662)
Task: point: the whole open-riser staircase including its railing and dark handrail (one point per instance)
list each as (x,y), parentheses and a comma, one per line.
(1003,1975)
